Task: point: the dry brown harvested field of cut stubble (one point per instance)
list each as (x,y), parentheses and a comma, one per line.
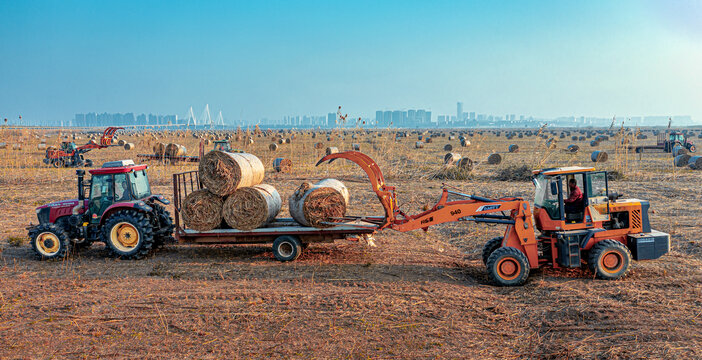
(415,295)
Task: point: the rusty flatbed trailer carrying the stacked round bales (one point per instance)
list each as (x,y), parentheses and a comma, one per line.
(288,237)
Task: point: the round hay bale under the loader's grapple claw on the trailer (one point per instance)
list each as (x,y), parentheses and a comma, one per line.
(313,204)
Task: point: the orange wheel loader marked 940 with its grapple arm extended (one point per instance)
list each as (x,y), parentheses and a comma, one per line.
(602,234)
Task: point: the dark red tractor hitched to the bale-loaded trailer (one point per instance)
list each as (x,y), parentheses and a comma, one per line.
(119,211)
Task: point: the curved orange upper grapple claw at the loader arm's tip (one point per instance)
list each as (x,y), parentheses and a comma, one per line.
(385,193)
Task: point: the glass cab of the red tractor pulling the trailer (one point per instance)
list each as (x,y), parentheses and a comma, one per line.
(116,182)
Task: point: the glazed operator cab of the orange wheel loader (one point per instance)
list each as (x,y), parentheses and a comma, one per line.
(555,209)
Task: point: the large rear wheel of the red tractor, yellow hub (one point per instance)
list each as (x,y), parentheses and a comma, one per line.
(128,234)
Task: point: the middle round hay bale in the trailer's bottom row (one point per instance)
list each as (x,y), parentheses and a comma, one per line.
(251,207)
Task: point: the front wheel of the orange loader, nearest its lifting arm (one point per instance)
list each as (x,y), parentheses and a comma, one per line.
(507,266)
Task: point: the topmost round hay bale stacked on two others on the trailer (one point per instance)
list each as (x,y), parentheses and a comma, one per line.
(223,172)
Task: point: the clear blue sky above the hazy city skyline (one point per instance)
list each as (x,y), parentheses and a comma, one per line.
(273,58)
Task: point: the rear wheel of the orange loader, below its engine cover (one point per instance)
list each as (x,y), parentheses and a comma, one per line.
(609,260)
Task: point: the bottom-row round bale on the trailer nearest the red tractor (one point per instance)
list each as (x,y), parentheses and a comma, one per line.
(202,210)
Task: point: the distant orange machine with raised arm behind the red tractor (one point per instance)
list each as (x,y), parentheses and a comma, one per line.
(71,155)
